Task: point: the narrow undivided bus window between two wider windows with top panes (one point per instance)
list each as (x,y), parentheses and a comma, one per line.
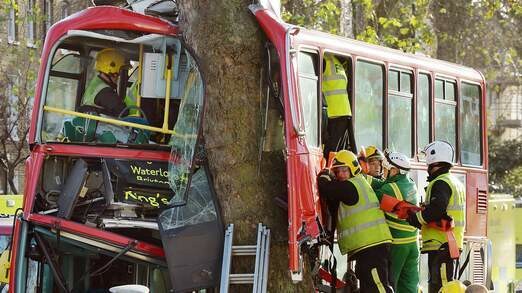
(423,110)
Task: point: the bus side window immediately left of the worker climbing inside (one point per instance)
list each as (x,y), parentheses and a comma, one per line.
(308,88)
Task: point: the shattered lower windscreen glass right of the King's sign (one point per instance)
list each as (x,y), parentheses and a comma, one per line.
(199,209)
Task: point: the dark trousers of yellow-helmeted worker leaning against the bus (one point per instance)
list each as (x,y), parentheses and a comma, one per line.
(372,268)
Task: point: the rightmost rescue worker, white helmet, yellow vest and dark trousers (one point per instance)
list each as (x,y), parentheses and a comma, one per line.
(445,199)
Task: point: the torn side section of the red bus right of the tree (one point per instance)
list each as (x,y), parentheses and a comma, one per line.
(400,102)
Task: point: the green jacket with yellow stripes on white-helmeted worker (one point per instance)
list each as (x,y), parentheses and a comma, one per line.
(401,187)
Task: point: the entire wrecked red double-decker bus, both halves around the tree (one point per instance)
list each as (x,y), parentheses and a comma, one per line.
(128,199)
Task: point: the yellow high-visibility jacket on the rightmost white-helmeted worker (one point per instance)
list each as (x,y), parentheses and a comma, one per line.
(433,238)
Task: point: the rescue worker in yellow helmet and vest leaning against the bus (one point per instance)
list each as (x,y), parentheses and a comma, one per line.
(361,228)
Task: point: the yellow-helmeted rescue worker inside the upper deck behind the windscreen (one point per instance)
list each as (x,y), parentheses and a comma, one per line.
(100,92)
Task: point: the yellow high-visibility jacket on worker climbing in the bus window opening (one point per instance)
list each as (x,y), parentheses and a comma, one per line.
(334,88)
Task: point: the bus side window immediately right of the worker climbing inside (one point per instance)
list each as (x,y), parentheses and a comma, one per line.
(369,85)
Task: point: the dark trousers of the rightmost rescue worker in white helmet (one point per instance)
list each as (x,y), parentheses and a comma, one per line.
(440,266)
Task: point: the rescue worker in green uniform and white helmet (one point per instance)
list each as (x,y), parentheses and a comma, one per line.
(405,248)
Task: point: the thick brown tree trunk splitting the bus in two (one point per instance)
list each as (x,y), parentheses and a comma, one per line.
(228,44)
